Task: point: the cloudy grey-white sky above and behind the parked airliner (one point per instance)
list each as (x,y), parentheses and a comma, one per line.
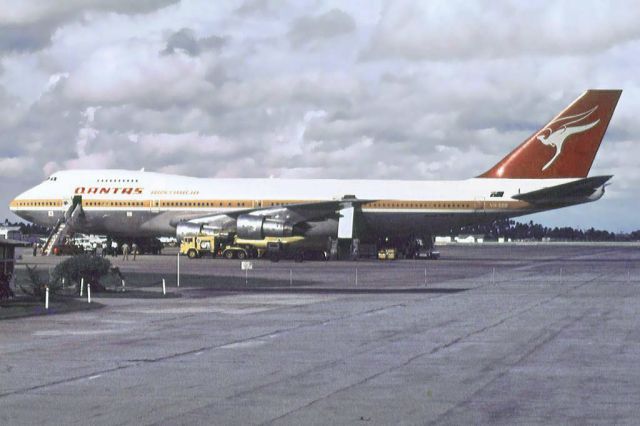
(312,89)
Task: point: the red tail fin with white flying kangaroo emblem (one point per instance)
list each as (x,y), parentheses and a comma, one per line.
(566,146)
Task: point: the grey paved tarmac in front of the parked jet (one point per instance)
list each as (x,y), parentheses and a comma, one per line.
(498,334)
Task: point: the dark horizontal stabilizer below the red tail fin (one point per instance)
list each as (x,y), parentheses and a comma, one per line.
(567,192)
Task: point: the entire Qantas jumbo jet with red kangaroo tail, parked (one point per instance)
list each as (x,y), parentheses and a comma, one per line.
(547,171)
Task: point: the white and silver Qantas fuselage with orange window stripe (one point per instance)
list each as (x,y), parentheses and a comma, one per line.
(138,203)
